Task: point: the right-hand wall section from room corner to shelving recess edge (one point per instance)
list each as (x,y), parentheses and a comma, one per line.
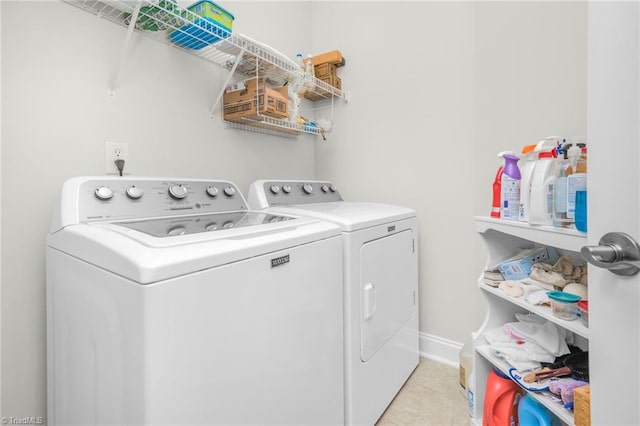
(406,136)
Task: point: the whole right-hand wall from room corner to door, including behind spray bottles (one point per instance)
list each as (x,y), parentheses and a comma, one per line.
(438,89)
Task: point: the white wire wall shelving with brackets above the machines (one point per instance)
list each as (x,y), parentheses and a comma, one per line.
(235,52)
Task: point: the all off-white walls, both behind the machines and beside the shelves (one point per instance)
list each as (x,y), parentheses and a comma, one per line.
(437,88)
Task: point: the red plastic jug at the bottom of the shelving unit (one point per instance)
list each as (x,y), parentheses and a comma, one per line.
(501,399)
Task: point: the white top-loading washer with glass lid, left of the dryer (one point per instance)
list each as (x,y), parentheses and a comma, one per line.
(169,303)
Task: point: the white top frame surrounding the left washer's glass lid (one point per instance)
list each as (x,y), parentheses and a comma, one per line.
(144,258)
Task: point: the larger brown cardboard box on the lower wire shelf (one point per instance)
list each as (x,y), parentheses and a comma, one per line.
(254,100)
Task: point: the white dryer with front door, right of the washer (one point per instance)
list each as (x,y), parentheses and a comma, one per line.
(381,287)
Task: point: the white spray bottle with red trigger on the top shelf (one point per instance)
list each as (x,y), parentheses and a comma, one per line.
(541,199)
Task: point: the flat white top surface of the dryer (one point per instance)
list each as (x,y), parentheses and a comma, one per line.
(350,216)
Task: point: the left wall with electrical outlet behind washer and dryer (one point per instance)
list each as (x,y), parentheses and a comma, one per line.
(56,116)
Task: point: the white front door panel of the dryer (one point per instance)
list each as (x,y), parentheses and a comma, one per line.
(387,283)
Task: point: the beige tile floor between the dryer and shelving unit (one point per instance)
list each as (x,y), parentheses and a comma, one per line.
(430,397)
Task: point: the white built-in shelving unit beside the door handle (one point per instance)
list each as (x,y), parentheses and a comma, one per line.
(503,239)
